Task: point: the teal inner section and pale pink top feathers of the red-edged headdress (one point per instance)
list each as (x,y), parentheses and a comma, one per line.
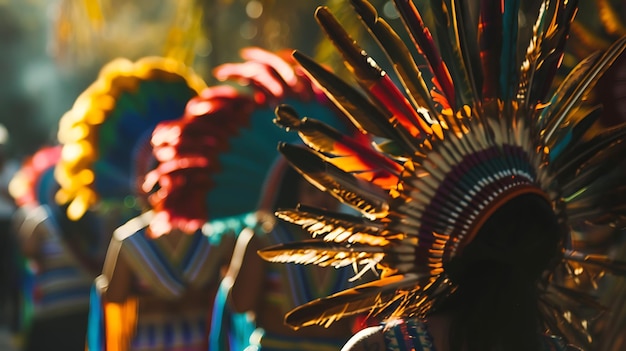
(267,78)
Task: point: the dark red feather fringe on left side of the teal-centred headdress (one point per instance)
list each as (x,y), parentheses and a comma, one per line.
(187,151)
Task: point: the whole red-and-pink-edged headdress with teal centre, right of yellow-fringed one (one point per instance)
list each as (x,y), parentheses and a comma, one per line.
(217,154)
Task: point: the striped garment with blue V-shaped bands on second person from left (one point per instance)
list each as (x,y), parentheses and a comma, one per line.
(167,273)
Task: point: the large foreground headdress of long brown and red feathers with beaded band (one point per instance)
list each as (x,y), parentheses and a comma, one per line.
(448,153)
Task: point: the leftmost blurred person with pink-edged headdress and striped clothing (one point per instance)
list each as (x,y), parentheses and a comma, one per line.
(65,257)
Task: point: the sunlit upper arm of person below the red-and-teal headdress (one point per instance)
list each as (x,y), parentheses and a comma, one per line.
(246,273)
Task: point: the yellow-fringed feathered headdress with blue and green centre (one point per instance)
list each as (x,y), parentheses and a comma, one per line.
(106,135)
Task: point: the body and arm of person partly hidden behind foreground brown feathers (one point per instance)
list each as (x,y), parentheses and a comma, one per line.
(268,290)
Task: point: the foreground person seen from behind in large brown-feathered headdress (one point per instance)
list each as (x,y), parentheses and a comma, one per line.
(473,187)
